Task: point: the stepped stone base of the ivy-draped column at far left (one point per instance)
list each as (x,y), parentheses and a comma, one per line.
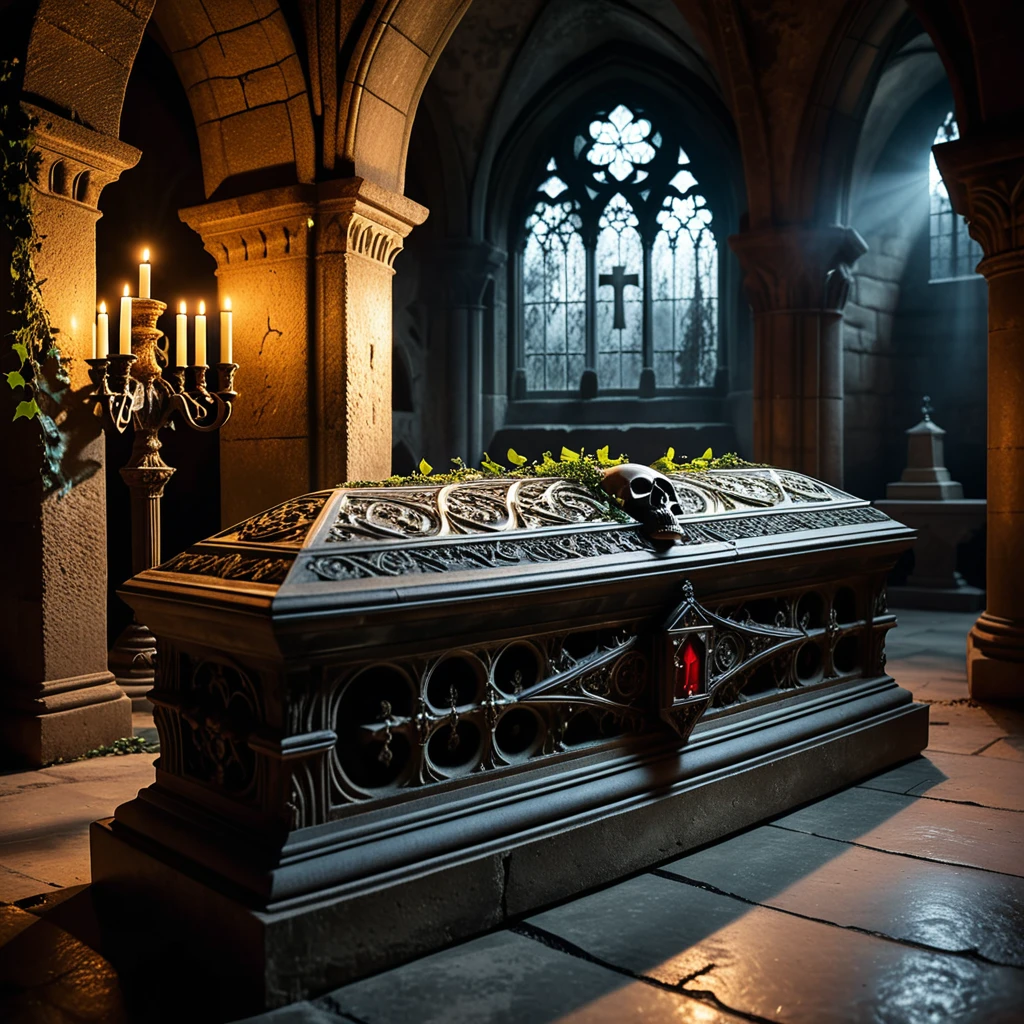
(63,720)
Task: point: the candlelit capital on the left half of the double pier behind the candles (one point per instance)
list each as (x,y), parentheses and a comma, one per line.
(257,230)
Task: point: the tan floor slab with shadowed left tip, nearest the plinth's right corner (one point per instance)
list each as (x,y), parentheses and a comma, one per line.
(991,783)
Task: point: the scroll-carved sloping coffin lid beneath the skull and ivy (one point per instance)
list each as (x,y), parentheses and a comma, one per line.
(365,539)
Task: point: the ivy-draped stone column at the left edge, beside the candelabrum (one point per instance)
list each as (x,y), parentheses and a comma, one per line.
(58,699)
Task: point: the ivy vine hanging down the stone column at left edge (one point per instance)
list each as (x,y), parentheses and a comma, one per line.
(40,380)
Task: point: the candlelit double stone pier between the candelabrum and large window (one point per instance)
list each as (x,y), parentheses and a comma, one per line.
(309,270)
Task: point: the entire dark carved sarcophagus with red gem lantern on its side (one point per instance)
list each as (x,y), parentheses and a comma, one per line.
(391,718)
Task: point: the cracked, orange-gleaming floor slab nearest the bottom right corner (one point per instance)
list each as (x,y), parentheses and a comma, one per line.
(760,962)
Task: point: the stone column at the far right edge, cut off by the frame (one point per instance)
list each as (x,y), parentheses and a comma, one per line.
(986,180)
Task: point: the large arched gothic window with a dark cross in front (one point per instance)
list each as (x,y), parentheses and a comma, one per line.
(619,263)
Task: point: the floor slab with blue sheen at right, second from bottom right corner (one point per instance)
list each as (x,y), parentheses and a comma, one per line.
(960,910)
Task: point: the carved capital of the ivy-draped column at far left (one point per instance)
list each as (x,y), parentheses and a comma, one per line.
(77,162)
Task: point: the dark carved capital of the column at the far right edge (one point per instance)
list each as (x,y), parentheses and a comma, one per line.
(985,176)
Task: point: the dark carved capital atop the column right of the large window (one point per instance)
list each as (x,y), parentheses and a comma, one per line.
(794,269)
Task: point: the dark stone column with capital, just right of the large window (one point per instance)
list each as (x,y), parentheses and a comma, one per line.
(798,281)
